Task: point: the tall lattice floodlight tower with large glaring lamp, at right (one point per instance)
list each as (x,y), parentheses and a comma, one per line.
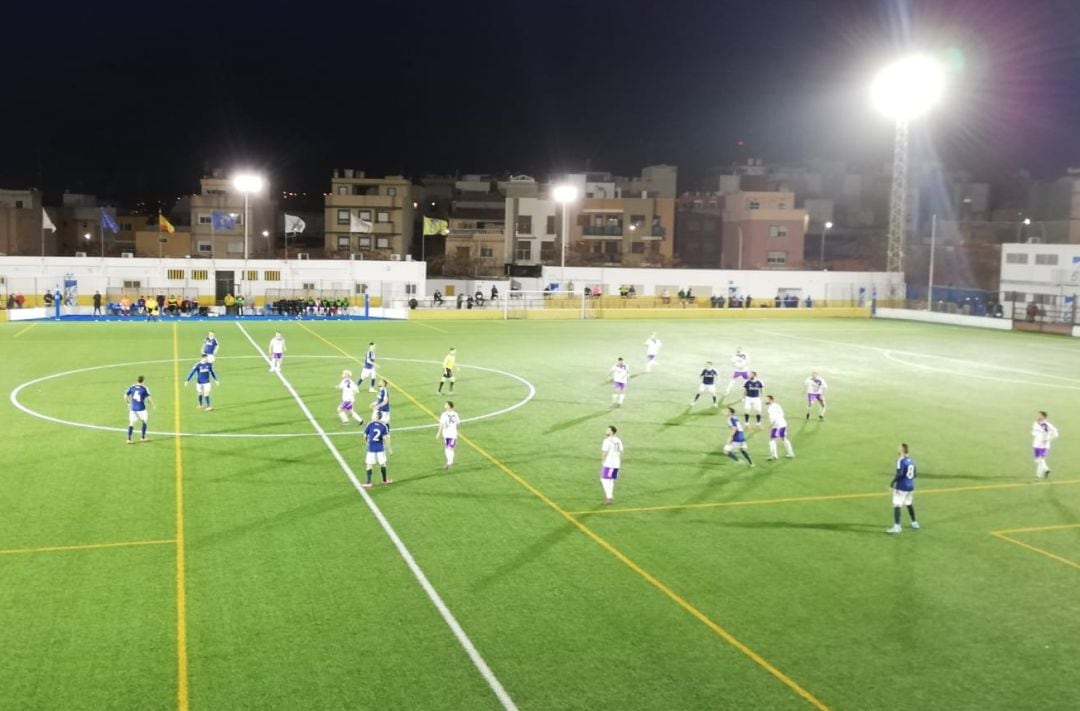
(904,90)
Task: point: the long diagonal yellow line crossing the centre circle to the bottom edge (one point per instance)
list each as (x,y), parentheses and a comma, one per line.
(618,555)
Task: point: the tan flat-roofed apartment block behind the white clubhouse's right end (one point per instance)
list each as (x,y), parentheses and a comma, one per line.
(372,218)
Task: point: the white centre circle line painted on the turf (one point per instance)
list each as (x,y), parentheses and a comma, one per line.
(34,413)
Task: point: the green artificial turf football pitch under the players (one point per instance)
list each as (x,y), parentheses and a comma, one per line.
(706,586)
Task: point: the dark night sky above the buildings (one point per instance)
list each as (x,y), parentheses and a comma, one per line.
(133,101)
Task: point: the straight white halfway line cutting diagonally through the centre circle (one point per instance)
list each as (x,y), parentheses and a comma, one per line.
(437,600)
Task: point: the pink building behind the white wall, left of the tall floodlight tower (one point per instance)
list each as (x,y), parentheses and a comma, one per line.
(763,231)
